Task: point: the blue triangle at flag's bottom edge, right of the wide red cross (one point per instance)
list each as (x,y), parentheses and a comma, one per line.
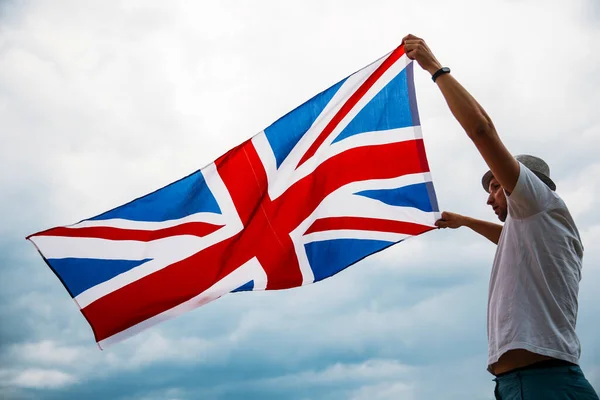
(328,257)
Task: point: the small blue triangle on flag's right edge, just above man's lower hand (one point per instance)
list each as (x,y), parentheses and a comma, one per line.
(416,196)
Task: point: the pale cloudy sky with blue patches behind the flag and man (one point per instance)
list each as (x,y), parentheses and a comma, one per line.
(104,101)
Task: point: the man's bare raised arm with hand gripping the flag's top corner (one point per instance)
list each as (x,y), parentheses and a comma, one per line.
(471,116)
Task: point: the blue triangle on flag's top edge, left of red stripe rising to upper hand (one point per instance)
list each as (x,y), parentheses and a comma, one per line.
(285,133)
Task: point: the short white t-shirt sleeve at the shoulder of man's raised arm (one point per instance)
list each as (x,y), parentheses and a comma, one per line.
(530,196)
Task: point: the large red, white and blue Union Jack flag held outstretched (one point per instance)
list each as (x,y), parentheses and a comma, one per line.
(341,177)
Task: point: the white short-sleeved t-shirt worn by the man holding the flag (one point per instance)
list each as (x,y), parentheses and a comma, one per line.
(535,277)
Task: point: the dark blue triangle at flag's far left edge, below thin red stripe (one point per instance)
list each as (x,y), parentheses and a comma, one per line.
(80,274)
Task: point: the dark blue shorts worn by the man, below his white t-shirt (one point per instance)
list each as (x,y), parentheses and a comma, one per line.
(545,383)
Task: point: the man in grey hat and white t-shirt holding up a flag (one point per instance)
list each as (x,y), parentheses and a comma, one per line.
(533,349)
